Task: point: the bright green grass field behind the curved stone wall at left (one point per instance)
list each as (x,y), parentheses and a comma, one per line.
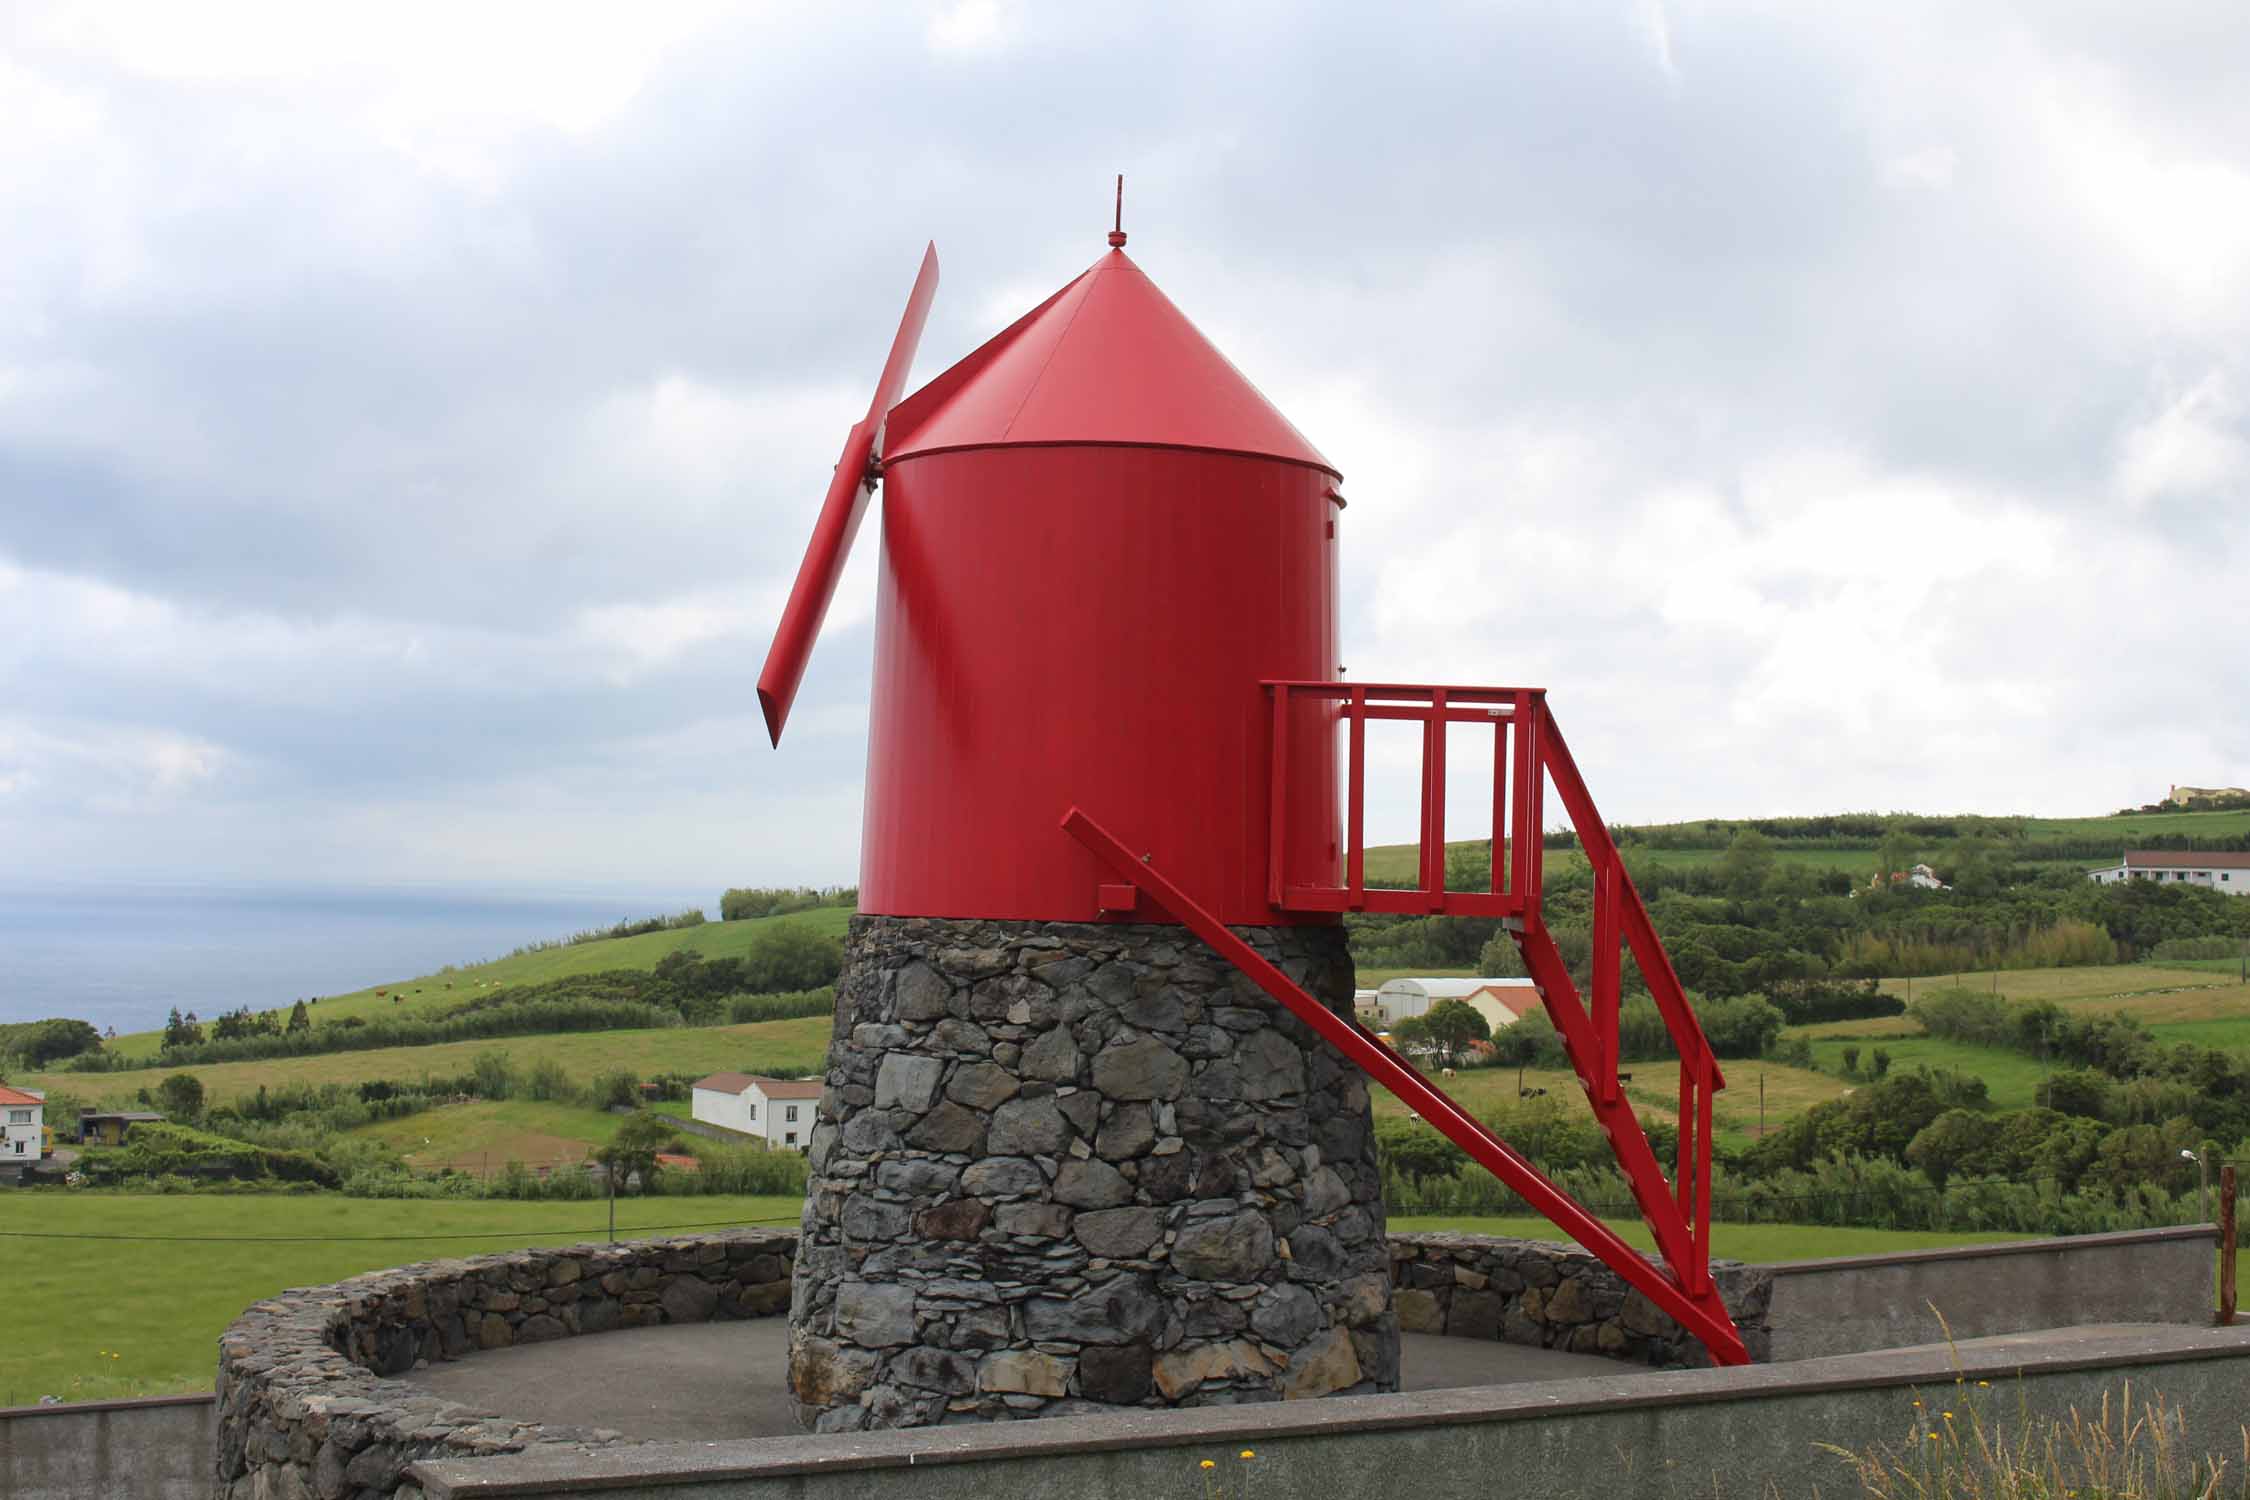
(161,1305)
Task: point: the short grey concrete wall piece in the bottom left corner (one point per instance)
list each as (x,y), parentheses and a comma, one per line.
(156,1449)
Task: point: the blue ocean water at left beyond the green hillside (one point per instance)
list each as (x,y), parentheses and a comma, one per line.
(125,955)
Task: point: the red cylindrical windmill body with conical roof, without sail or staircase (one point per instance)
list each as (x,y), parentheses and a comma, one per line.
(1097,543)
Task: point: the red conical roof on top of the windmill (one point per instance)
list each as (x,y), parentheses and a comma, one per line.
(1104,361)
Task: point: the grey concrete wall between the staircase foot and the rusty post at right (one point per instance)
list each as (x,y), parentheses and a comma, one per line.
(1887,1301)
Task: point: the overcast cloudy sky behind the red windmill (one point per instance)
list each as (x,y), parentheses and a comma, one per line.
(413,415)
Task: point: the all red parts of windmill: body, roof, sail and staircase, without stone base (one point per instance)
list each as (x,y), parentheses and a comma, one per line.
(1108,689)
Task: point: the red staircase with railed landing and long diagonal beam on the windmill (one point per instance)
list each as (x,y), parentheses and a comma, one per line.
(1529,752)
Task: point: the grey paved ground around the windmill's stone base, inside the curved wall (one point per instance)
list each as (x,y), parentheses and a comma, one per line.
(723,1380)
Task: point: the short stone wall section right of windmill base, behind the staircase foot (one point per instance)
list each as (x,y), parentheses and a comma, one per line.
(1558,1296)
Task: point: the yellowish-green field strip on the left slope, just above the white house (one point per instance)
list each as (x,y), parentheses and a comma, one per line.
(764,1047)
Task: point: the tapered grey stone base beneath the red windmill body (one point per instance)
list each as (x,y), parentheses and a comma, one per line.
(1074,1168)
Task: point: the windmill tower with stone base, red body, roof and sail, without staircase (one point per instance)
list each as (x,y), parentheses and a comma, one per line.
(1068,1157)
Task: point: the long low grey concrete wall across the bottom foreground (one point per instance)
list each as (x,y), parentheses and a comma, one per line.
(1659,1436)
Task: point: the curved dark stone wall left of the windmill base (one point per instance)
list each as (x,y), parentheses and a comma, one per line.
(305,1407)
